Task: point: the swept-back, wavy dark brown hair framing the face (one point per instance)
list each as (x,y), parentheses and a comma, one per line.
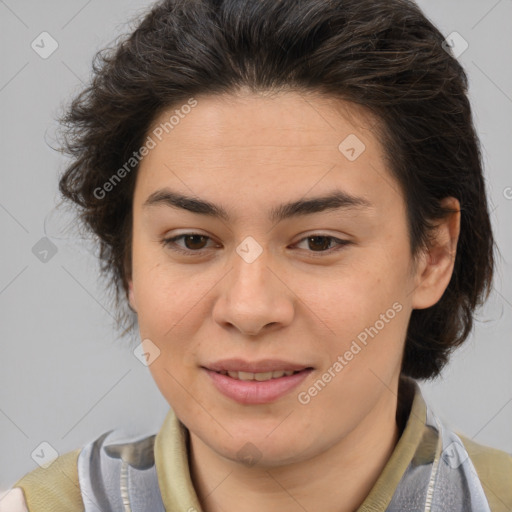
(382,54)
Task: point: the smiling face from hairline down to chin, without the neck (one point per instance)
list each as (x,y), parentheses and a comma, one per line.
(324,288)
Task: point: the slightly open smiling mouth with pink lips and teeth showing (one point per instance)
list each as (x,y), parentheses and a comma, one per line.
(256,383)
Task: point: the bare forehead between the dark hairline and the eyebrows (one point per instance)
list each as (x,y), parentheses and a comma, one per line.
(265,145)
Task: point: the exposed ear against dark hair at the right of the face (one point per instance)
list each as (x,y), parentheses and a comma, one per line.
(435,265)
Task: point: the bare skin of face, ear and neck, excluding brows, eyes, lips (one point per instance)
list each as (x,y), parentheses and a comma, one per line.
(297,301)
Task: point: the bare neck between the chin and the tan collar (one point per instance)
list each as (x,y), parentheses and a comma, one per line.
(336,480)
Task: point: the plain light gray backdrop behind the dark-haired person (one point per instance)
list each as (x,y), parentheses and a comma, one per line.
(64,377)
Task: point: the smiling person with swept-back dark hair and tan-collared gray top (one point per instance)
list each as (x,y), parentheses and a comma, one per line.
(289,197)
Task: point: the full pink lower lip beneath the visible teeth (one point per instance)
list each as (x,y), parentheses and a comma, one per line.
(256,392)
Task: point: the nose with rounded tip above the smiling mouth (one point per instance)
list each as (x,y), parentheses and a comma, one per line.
(254,297)
